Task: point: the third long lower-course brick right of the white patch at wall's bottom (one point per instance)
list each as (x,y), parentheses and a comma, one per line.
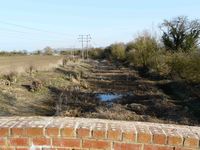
(126,146)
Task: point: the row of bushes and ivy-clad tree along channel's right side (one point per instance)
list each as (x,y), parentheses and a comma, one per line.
(175,54)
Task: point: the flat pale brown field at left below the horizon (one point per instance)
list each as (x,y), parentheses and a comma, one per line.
(21,64)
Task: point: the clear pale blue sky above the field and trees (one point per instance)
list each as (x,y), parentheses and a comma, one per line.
(59,22)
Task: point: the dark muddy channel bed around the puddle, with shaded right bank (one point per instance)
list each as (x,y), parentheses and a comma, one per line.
(144,97)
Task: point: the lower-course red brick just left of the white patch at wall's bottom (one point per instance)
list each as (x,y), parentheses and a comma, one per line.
(19,142)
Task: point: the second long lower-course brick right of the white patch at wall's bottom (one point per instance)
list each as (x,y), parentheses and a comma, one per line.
(96,144)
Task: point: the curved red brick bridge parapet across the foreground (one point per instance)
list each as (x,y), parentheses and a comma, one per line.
(46,133)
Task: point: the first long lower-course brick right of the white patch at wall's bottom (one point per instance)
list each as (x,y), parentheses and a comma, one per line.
(66,142)
